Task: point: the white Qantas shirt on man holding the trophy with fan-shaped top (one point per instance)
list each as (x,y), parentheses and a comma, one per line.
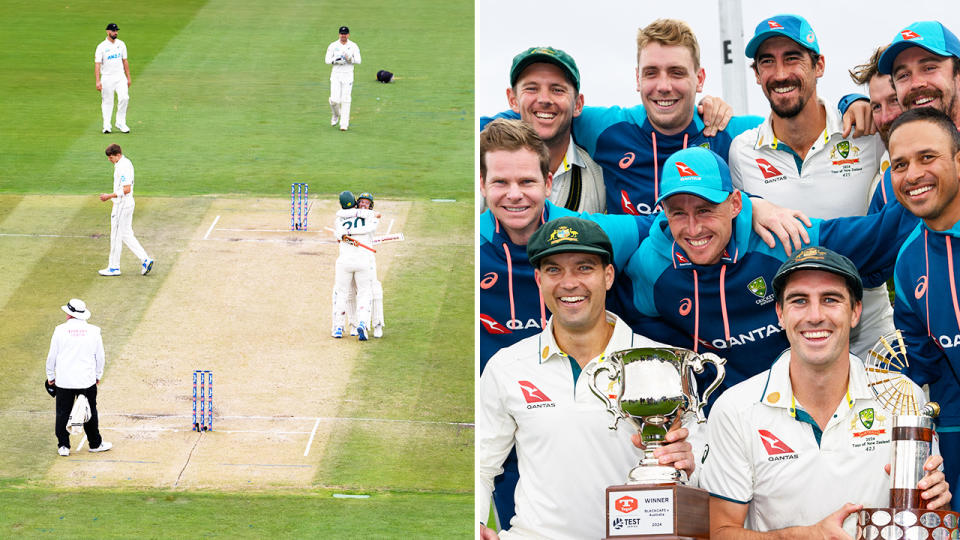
(762,450)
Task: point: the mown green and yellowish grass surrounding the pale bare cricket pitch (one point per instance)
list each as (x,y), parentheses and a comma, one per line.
(229,98)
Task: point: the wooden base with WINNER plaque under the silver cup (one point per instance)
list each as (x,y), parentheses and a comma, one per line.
(657,512)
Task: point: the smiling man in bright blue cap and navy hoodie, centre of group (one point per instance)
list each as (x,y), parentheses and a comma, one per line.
(704,270)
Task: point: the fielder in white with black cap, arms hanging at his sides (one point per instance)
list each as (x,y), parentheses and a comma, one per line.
(113,75)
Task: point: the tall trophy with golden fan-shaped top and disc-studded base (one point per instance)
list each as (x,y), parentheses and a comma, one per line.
(911,445)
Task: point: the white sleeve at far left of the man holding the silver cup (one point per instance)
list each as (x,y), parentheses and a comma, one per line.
(496,430)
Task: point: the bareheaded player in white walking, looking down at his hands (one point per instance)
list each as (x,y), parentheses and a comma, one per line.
(121,217)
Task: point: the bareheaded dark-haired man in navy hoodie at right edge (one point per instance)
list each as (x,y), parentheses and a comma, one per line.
(925,165)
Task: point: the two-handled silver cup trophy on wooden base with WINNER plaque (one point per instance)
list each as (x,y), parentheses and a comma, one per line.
(650,388)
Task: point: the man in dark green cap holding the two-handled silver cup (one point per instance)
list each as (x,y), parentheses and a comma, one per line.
(531,395)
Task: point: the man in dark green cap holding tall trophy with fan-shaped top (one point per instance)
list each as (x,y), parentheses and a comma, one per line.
(793,451)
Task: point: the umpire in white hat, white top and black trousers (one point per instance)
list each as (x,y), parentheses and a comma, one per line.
(74,367)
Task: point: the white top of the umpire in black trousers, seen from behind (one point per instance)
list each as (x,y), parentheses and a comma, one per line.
(76,355)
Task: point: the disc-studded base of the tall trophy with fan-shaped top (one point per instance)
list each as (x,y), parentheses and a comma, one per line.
(875,523)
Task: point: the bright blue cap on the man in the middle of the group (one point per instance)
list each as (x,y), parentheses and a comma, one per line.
(697,171)
